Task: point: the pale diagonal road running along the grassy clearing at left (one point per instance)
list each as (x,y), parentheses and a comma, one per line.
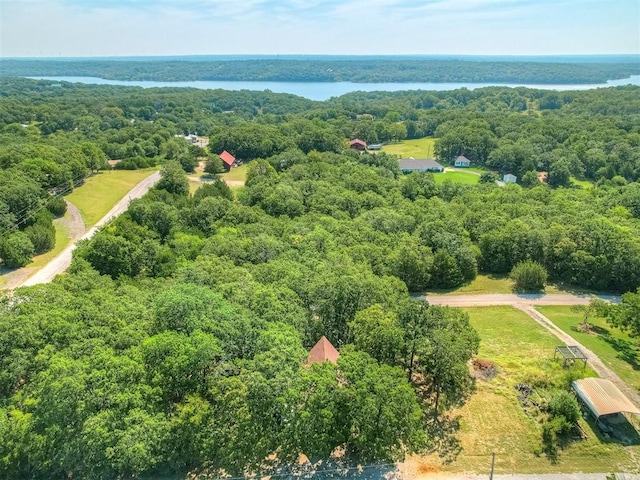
(60,263)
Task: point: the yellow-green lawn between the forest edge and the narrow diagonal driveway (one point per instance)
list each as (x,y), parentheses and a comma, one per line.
(493,420)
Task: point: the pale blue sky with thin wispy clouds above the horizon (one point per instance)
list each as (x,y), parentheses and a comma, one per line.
(68,28)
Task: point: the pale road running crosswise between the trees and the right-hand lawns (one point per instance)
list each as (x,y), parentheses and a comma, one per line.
(494,299)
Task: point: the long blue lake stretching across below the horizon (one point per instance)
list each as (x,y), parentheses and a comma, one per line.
(325,90)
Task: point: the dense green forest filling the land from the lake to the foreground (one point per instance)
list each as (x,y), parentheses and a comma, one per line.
(176,342)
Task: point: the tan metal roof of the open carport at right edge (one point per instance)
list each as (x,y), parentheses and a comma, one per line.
(602,397)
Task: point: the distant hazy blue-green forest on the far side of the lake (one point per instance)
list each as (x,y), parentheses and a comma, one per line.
(319,69)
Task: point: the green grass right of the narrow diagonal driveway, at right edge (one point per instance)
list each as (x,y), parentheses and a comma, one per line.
(614,347)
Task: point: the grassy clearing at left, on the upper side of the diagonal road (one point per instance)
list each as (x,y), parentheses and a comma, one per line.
(102,191)
